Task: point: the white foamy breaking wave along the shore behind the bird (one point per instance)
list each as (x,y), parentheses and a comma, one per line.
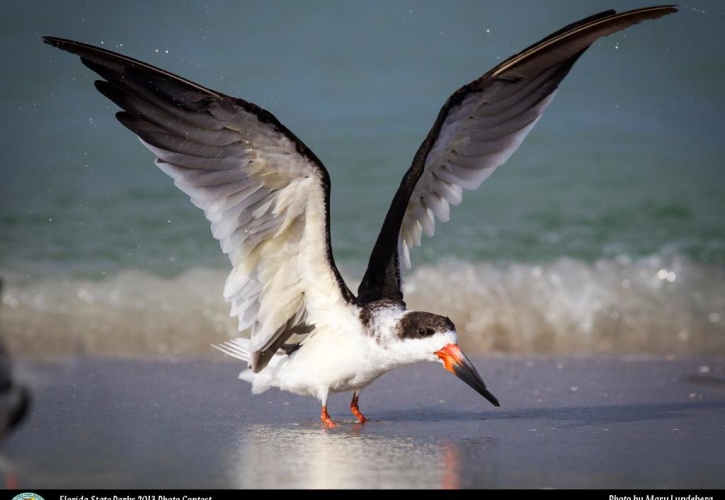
(653,305)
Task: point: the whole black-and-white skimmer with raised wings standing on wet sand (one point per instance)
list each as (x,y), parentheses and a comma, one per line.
(267,197)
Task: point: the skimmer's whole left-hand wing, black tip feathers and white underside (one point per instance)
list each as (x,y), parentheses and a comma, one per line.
(265,193)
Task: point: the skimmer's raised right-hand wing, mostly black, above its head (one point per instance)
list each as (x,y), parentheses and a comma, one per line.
(479,128)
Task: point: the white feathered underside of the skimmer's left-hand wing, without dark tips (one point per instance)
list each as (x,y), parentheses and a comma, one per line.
(266,204)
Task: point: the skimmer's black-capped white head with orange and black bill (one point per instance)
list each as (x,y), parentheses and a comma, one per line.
(430,337)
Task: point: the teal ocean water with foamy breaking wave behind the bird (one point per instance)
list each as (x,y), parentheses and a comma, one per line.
(603,233)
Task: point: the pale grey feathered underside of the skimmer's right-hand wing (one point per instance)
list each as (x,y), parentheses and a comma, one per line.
(479,134)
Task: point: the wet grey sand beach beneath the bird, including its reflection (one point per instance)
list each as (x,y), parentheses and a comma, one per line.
(563,422)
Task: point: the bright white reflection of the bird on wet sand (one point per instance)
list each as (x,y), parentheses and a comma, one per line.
(352,456)
